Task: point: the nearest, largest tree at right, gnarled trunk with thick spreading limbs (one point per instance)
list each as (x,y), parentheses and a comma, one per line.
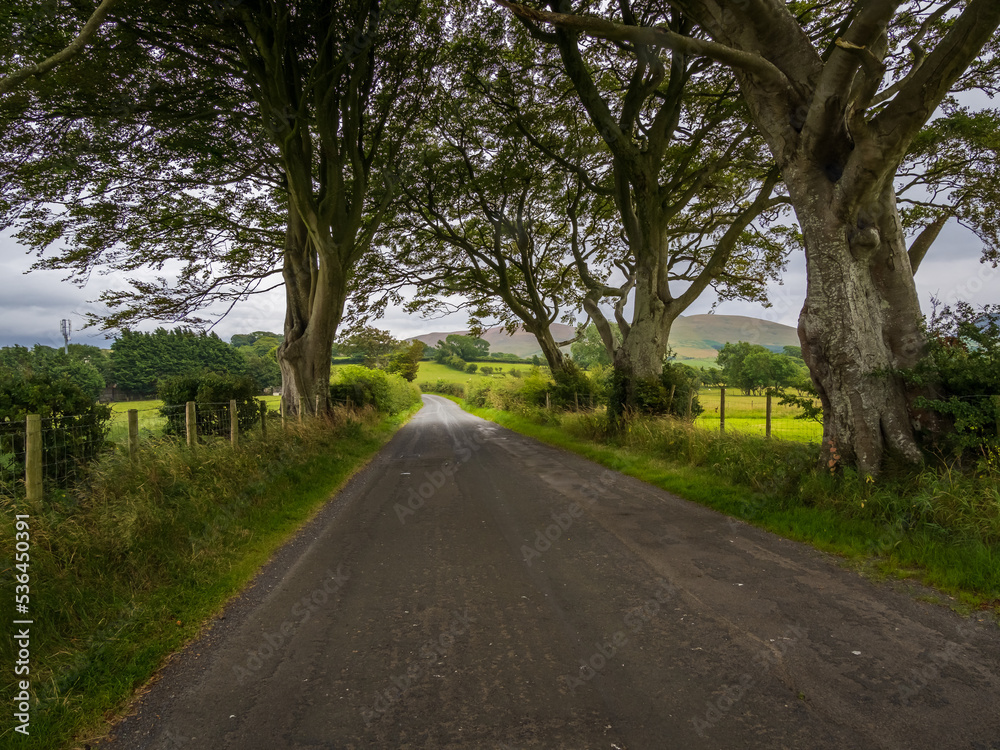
(840,91)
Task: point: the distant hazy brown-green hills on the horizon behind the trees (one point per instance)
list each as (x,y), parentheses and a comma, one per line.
(692,336)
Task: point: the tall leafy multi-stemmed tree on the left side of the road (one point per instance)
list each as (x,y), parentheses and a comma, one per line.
(264,128)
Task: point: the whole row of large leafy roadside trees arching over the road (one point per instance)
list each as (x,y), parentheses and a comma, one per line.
(524,162)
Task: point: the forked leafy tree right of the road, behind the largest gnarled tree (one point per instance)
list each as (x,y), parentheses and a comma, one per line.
(687,179)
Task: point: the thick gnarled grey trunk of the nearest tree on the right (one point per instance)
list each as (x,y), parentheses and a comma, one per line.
(860,322)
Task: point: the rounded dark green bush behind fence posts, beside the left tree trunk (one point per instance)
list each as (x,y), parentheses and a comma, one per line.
(211,393)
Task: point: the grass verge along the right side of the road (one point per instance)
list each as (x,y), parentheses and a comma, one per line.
(940,529)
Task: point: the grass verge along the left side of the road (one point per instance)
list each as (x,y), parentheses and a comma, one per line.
(125,570)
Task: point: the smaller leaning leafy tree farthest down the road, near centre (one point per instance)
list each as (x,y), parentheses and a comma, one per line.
(485,221)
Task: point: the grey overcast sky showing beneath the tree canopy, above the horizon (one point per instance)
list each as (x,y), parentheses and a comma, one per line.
(32,304)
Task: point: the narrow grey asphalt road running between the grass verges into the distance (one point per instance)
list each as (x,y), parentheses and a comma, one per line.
(472,588)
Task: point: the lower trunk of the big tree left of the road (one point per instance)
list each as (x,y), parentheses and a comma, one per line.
(315,294)
